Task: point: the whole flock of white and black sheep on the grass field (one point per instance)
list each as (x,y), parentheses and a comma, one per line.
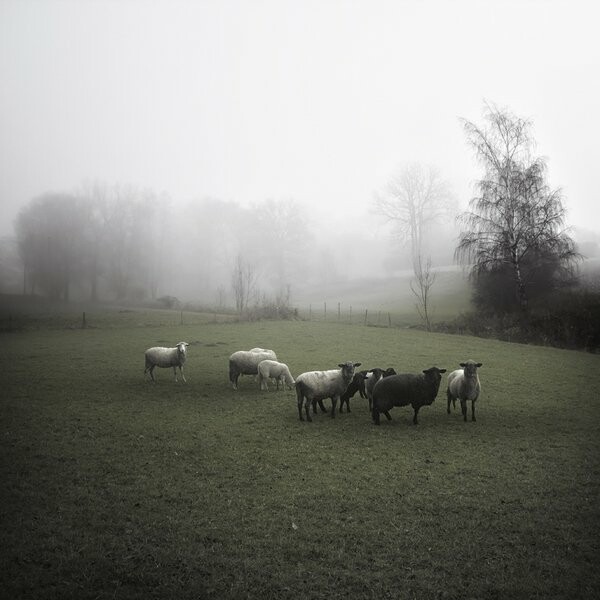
(383,388)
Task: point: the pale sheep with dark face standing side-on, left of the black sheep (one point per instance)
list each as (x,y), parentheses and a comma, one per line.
(315,386)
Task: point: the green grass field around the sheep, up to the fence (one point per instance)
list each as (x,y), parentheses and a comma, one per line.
(117,488)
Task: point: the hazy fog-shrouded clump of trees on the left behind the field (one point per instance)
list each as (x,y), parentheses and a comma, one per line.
(121,242)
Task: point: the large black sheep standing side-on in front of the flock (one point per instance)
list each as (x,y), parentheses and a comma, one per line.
(416,389)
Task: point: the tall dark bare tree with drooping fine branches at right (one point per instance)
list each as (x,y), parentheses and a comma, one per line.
(516,222)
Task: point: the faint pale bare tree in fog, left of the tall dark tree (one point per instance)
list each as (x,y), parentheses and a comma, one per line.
(413,199)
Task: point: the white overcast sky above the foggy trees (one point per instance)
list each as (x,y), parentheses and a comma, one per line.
(318,101)
